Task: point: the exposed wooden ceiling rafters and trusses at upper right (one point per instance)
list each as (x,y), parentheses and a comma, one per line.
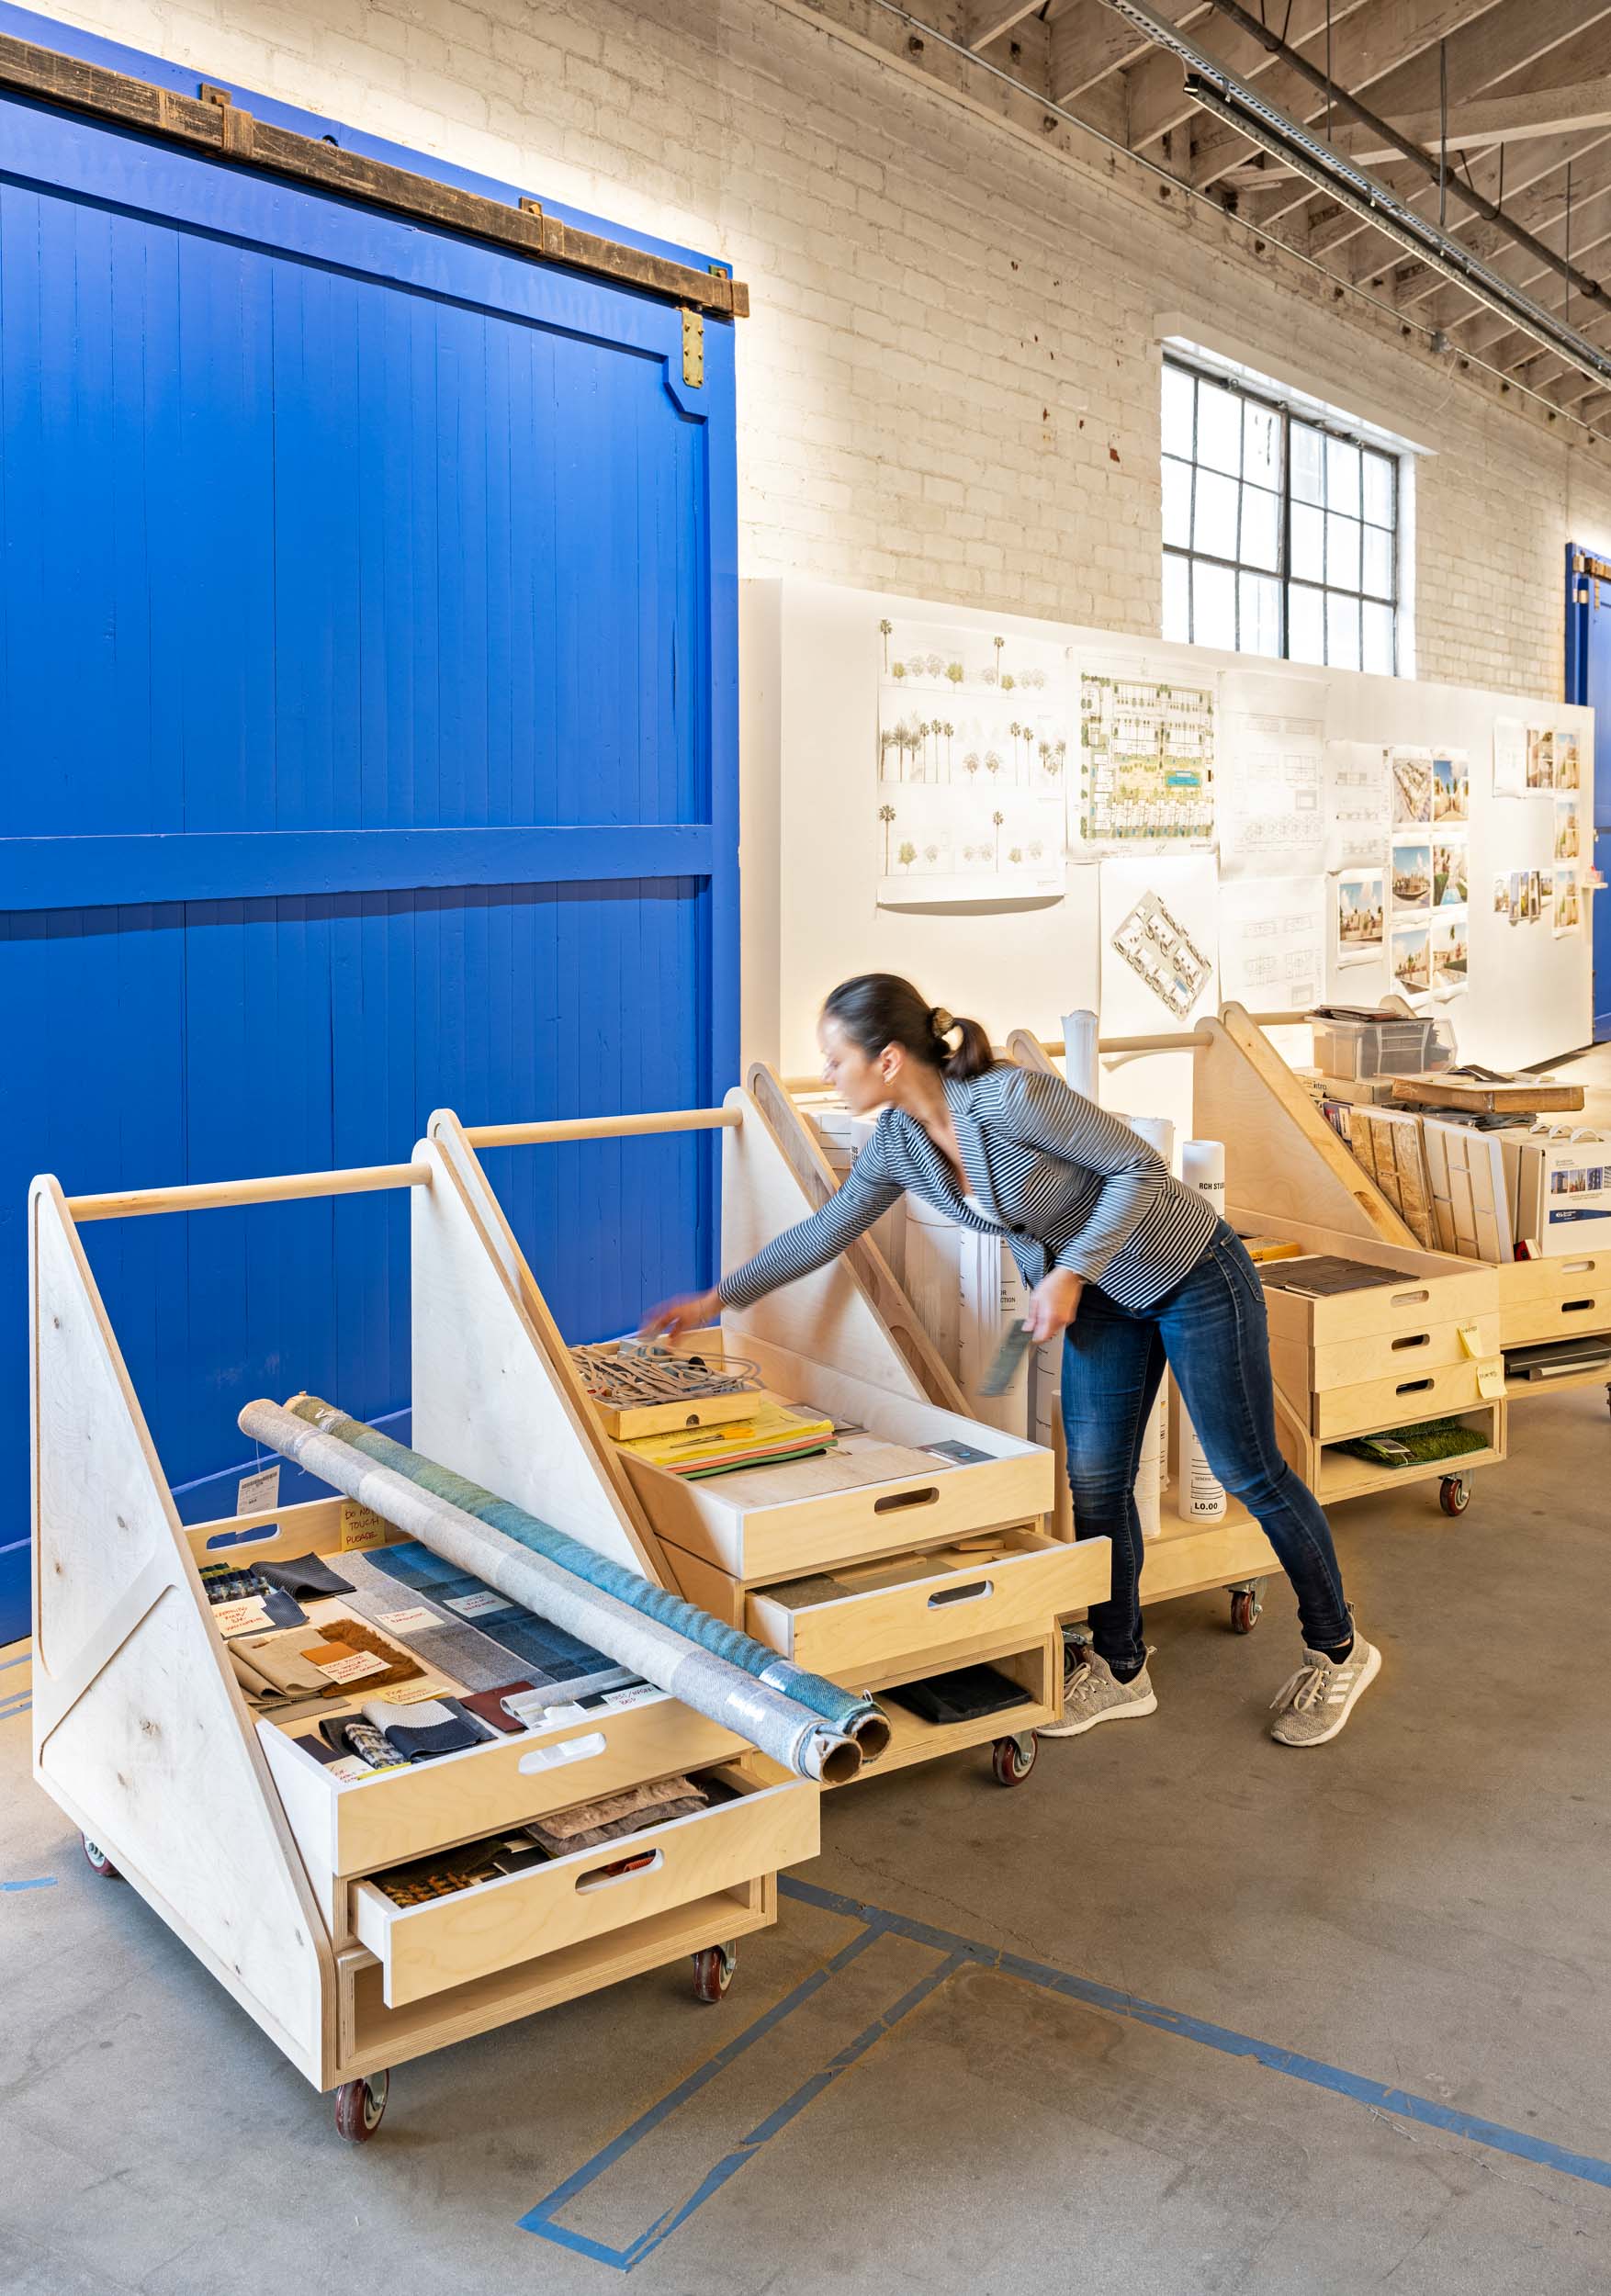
(1491,118)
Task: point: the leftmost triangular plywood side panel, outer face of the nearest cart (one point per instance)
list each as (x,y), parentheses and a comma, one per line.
(139,1725)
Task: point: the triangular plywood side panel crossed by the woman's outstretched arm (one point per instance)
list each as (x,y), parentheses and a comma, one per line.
(825,1317)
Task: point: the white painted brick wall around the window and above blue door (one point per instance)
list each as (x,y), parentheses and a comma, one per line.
(949,385)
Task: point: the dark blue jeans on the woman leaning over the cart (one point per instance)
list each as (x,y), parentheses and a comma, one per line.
(1213,1335)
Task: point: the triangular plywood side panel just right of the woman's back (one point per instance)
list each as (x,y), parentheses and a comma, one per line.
(1282,1156)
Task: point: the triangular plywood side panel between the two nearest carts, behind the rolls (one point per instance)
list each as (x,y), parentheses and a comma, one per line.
(495,1393)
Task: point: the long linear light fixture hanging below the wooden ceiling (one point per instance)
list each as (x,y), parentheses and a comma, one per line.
(1298,148)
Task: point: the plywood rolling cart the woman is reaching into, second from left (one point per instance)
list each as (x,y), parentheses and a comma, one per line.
(892,1565)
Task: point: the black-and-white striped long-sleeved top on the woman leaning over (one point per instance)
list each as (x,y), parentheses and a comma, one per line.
(1068,1184)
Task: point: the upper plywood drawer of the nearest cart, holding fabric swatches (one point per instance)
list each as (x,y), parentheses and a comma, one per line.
(355,1826)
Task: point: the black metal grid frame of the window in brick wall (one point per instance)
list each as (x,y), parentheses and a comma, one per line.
(1282,575)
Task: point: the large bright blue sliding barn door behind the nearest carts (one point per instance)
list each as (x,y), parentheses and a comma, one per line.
(368,724)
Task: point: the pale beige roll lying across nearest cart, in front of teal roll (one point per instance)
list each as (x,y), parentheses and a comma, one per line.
(685,1668)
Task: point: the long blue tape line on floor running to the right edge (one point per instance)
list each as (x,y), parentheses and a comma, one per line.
(1236,2045)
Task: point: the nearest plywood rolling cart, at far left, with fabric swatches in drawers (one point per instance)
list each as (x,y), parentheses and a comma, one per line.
(251,1849)
